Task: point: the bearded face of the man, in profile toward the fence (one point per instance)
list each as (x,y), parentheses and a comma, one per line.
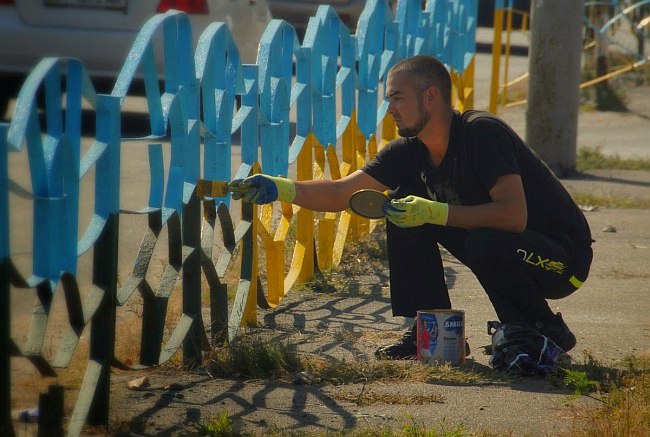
(405,105)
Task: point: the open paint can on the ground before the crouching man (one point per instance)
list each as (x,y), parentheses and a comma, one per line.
(441,336)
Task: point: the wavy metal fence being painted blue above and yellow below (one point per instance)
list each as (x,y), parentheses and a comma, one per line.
(332,82)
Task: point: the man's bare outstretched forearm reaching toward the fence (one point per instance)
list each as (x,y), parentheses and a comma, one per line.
(333,195)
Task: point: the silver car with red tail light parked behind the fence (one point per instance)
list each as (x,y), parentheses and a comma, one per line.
(101,32)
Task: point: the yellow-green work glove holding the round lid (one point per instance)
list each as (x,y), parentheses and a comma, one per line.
(416,211)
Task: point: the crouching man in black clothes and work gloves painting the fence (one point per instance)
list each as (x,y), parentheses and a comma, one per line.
(467,182)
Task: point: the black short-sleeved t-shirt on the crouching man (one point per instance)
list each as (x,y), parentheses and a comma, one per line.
(470,169)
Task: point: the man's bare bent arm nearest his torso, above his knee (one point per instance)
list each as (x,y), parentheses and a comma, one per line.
(506,212)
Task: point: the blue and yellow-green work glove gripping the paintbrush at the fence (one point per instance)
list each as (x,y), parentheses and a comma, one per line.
(263,189)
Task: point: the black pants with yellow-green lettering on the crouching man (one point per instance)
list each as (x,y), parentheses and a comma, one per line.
(518,271)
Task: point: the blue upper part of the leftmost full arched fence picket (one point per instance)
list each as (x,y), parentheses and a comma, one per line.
(54,160)
